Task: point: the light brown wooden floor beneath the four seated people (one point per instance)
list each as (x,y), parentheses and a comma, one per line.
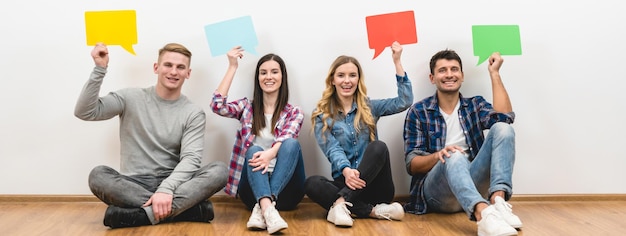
(571,217)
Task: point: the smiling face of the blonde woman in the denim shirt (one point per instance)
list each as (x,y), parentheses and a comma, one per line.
(345,80)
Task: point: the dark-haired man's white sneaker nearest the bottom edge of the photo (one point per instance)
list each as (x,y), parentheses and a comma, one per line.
(492,224)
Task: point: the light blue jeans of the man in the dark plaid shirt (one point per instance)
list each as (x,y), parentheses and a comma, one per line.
(460,184)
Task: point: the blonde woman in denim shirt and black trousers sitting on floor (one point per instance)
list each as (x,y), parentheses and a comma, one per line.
(344,123)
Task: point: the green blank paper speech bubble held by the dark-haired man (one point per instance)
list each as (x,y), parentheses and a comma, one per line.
(496,38)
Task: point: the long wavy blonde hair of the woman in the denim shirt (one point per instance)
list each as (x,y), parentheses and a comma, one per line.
(329,104)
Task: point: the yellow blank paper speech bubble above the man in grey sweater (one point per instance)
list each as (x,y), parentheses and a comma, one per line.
(112,28)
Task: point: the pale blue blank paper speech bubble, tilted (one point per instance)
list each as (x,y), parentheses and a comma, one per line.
(224,35)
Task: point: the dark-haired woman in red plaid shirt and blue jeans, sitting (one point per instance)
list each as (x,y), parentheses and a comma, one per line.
(266,168)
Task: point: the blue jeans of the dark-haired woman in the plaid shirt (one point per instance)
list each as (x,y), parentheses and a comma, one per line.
(285,184)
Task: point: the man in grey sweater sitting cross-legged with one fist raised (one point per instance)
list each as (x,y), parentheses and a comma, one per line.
(161,139)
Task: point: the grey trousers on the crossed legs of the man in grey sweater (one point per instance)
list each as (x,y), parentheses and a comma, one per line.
(125,191)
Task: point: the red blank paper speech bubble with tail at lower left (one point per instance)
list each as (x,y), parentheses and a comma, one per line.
(383,30)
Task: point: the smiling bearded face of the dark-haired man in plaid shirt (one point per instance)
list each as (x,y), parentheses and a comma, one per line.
(447,76)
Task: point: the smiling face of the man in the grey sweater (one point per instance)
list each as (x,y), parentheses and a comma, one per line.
(172,70)
